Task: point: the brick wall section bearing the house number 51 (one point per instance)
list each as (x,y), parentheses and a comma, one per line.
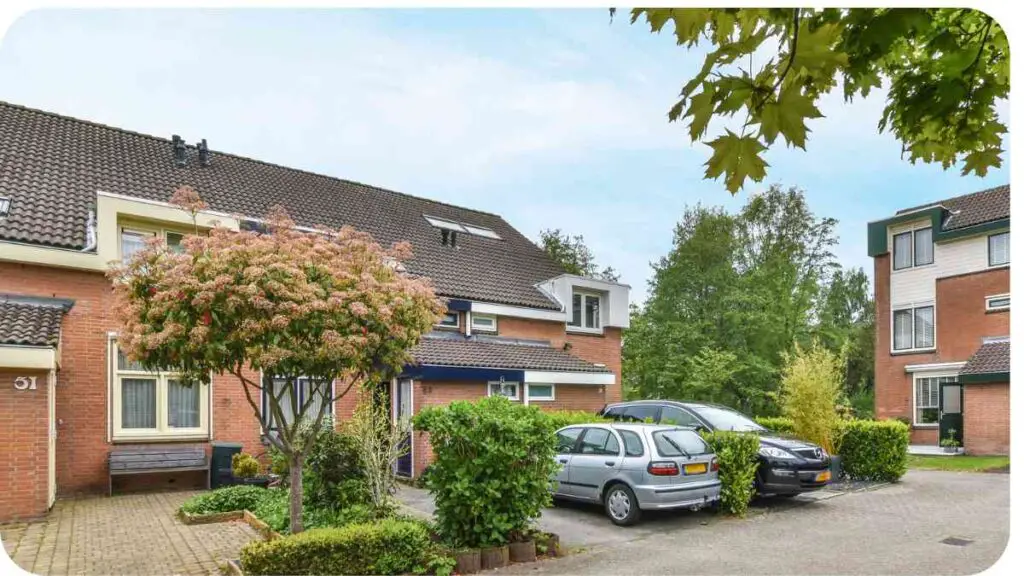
(24,451)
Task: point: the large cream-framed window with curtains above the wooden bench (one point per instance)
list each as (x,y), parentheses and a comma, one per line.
(156,404)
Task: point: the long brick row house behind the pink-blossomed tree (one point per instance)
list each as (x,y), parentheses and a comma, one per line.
(76,195)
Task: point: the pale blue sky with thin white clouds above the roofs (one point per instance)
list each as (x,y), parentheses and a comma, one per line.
(553,119)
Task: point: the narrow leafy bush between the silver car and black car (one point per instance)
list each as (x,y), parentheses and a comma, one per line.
(738,467)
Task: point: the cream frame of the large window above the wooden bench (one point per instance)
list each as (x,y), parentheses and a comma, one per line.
(163,430)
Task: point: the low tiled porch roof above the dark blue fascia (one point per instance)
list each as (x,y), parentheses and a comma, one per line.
(494,353)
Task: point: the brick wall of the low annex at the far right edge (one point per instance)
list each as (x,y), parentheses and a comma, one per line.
(987,419)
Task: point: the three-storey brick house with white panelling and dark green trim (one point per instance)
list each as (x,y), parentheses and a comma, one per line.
(943,297)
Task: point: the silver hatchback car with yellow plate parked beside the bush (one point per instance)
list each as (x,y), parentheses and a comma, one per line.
(633,468)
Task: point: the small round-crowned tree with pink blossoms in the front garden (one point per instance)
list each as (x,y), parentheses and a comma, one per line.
(327,306)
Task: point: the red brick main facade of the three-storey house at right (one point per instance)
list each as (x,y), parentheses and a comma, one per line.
(962,323)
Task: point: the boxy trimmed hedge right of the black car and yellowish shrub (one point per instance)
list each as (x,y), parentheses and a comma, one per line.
(874,450)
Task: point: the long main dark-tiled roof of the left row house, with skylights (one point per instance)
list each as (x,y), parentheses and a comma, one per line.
(53,167)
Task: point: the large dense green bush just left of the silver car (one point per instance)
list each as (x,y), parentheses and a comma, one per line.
(493,468)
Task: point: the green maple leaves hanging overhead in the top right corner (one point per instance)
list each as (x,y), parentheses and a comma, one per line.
(947,70)
